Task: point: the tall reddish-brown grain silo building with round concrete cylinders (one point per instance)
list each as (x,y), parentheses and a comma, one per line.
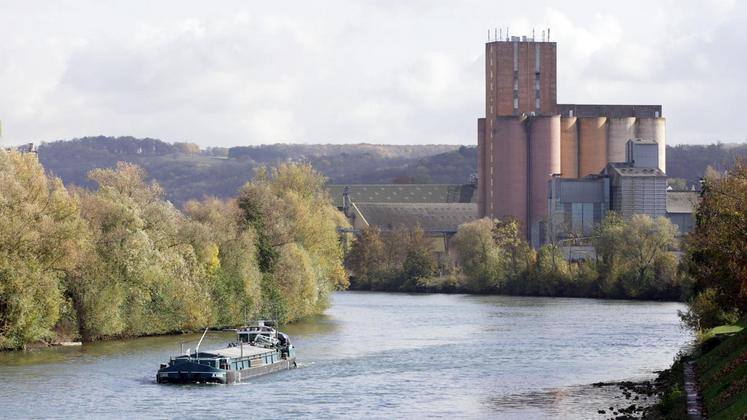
(526,137)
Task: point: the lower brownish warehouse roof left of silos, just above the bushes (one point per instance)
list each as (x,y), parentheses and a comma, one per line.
(432,217)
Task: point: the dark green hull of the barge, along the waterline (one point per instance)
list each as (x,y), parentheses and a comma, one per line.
(193,373)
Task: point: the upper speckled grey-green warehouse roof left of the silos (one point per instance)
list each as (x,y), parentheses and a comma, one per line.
(402,193)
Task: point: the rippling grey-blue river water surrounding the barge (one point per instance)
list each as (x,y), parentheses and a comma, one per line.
(376,355)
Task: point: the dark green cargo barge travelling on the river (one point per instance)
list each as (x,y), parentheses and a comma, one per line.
(258,350)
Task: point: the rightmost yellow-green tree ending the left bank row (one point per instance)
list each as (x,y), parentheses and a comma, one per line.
(298,248)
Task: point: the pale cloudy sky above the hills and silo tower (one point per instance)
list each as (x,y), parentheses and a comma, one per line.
(227,73)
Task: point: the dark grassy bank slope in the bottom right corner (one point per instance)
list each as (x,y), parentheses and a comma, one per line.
(721,366)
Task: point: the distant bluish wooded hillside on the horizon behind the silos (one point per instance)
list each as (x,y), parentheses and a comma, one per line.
(187,172)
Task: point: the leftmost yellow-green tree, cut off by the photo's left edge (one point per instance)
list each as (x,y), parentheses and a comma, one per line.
(41,234)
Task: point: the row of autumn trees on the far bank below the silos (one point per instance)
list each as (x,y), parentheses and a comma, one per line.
(633,260)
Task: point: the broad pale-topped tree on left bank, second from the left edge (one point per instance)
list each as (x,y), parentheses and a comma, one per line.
(142,275)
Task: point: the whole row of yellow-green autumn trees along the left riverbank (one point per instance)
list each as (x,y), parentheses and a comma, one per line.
(122,261)
